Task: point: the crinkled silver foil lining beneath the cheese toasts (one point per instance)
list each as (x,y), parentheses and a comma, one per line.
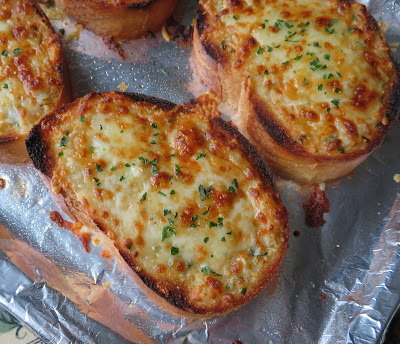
(337,284)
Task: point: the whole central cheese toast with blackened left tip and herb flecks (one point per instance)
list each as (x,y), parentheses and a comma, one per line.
(183,196)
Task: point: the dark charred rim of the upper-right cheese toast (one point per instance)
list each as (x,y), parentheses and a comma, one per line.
(274,129)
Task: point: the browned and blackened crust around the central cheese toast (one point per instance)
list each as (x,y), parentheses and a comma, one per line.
(176,300)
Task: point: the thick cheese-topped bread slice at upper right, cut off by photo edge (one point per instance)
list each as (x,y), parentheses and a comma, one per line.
(315,84)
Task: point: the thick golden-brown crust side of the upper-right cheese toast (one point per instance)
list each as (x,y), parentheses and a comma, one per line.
(286,155)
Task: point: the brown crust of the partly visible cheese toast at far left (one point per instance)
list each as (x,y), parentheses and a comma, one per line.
(12,146)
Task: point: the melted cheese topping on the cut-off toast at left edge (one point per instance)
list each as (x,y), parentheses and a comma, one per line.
(30,54)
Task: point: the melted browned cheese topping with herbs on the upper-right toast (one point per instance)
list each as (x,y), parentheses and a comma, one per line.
(319,66)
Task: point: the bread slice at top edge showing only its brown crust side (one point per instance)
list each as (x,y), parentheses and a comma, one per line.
(122,19)
